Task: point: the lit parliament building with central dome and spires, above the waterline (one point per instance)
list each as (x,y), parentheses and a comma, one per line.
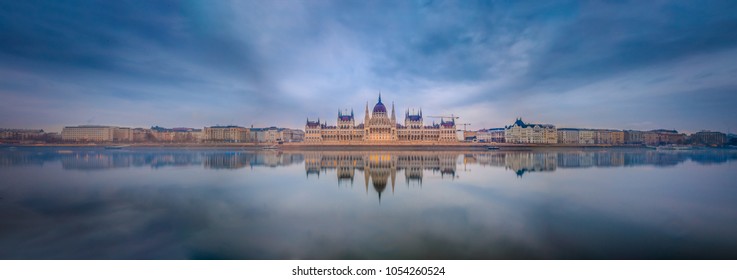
(380,127)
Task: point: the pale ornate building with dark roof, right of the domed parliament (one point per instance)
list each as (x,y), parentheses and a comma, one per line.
(527,133)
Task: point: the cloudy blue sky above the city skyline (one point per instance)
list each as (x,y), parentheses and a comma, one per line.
(588,64)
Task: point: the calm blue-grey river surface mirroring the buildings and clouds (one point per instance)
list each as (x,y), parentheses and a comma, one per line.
(91,203)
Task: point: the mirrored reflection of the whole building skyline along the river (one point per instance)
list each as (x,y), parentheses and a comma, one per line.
(382,165)
